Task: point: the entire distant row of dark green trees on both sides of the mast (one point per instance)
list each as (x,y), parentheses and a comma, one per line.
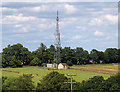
(17,55)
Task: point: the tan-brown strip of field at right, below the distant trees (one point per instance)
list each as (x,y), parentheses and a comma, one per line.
(98,68)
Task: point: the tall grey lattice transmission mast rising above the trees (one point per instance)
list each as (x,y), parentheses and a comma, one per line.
(57,42)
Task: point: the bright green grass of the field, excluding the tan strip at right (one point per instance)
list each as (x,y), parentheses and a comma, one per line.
(39,73)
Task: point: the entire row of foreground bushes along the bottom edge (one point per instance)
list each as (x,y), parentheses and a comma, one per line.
(54,82)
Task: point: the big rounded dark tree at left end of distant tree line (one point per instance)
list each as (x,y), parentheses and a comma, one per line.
(16,55)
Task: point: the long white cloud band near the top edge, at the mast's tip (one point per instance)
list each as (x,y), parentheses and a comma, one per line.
(67,8)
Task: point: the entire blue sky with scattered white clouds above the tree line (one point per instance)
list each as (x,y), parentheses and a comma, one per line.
(90,25)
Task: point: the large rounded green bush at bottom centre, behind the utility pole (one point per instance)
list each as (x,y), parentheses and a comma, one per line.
(54,81)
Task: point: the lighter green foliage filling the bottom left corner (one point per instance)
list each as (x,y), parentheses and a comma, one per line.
(23,82)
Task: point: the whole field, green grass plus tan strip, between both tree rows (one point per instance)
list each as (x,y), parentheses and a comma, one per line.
(40,72)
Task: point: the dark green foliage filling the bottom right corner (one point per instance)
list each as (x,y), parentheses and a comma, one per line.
(97,83)
